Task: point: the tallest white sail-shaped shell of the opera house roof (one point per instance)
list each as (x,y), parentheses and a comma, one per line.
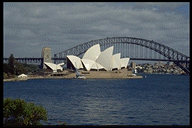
(92,53)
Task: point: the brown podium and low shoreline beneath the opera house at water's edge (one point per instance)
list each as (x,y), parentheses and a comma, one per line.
(68,74)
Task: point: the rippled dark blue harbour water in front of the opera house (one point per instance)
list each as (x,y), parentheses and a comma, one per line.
(154,100)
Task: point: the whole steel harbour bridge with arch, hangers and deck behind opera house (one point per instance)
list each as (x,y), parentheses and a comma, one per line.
(134,48)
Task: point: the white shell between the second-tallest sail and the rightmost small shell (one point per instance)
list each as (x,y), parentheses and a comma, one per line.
(115,61)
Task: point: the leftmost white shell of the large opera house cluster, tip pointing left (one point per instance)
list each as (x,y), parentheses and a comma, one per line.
(76,61)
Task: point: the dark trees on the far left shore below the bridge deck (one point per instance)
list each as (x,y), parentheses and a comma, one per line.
(14,67)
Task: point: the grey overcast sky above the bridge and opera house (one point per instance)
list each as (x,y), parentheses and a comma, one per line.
(28,27)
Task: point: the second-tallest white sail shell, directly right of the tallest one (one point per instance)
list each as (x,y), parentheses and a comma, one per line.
(104,58)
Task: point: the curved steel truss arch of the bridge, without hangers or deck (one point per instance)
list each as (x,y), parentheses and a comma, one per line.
(171,54)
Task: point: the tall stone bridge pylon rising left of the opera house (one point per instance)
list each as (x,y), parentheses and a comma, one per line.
(46,55)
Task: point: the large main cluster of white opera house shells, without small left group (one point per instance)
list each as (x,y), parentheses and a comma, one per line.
(94,59)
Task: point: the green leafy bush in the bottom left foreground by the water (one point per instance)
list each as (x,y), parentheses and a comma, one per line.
(19,112)
